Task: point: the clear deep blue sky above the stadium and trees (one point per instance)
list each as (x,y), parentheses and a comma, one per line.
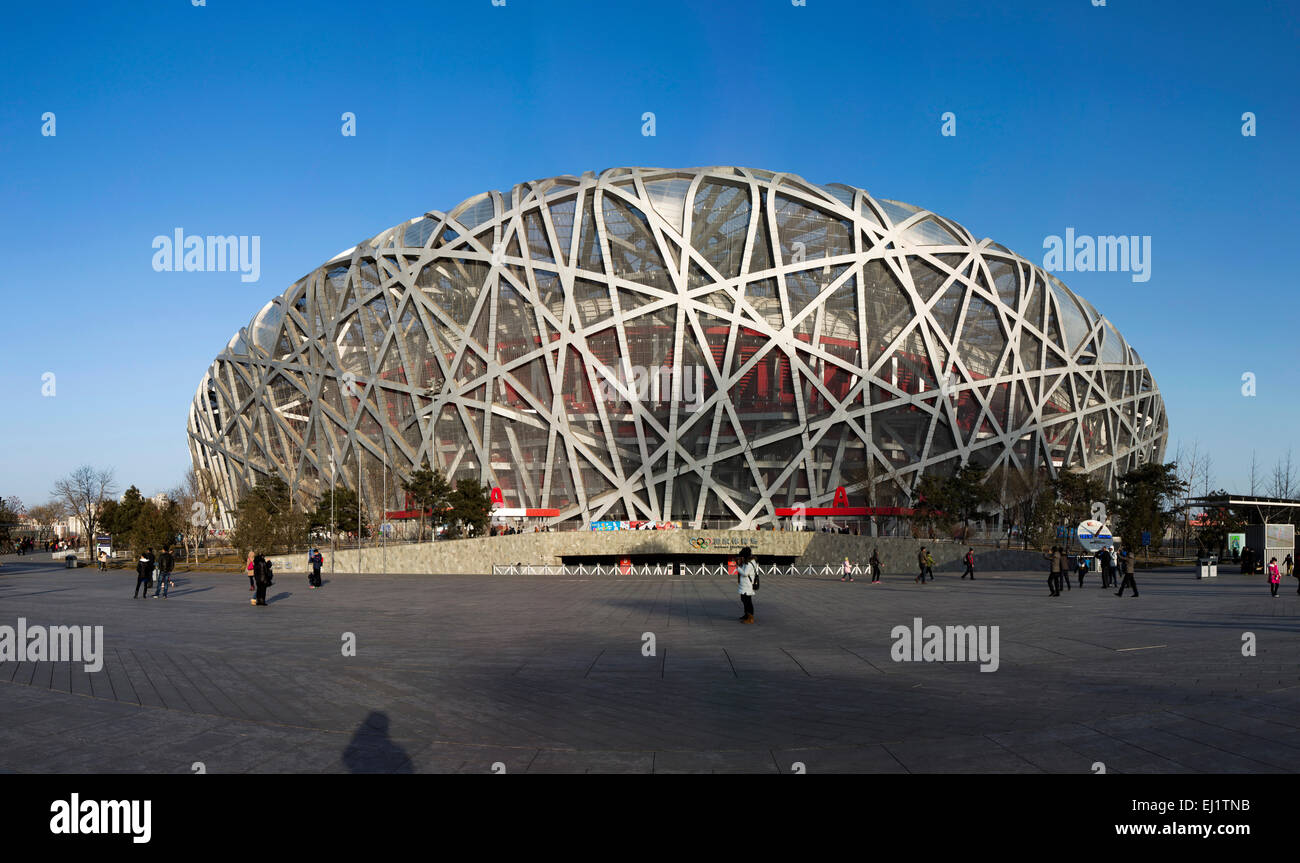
(226,120)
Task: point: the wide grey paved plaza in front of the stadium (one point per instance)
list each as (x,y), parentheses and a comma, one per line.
(478,674)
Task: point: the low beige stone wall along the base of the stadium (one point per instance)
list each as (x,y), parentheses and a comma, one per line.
(476,557)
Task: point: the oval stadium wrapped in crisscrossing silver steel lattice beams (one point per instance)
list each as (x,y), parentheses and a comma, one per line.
(674,345)
